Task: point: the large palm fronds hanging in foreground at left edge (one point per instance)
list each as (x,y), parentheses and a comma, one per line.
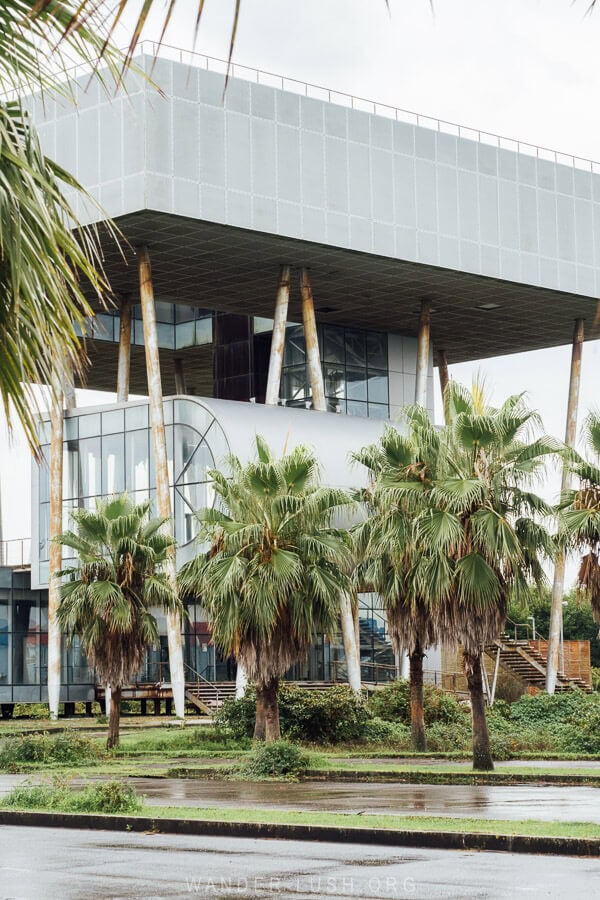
(48,264)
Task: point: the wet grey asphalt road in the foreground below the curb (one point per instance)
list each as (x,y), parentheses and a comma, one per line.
(57,864)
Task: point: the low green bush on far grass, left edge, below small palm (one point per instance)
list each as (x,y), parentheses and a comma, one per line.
(67,748)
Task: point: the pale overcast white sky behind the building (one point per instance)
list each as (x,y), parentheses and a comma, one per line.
(526,69)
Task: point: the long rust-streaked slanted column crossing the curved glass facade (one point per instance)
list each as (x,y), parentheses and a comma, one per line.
(163,493)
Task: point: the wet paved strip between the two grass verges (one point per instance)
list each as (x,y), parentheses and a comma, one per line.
(547,803)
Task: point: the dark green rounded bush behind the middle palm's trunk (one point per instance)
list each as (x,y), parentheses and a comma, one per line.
(328,717)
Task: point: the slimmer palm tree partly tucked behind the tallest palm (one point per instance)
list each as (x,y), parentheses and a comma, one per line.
(401,469)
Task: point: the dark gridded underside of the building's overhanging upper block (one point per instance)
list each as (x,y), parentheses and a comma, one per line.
(235,270)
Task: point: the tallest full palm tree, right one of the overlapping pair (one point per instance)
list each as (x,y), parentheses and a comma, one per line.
(485,529)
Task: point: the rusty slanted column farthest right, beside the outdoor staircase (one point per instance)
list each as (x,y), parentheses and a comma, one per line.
(558,586)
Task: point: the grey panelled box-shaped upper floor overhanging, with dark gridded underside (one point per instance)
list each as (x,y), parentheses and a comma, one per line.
(384,207)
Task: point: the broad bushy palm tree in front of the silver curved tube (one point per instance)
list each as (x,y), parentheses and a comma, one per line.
(274,574)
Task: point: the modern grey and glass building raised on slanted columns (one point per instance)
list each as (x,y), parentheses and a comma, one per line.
(286,246)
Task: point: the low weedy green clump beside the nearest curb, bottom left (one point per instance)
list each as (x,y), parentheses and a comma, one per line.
(103,797)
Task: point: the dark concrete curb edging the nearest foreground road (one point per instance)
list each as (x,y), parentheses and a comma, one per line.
(442,840)
